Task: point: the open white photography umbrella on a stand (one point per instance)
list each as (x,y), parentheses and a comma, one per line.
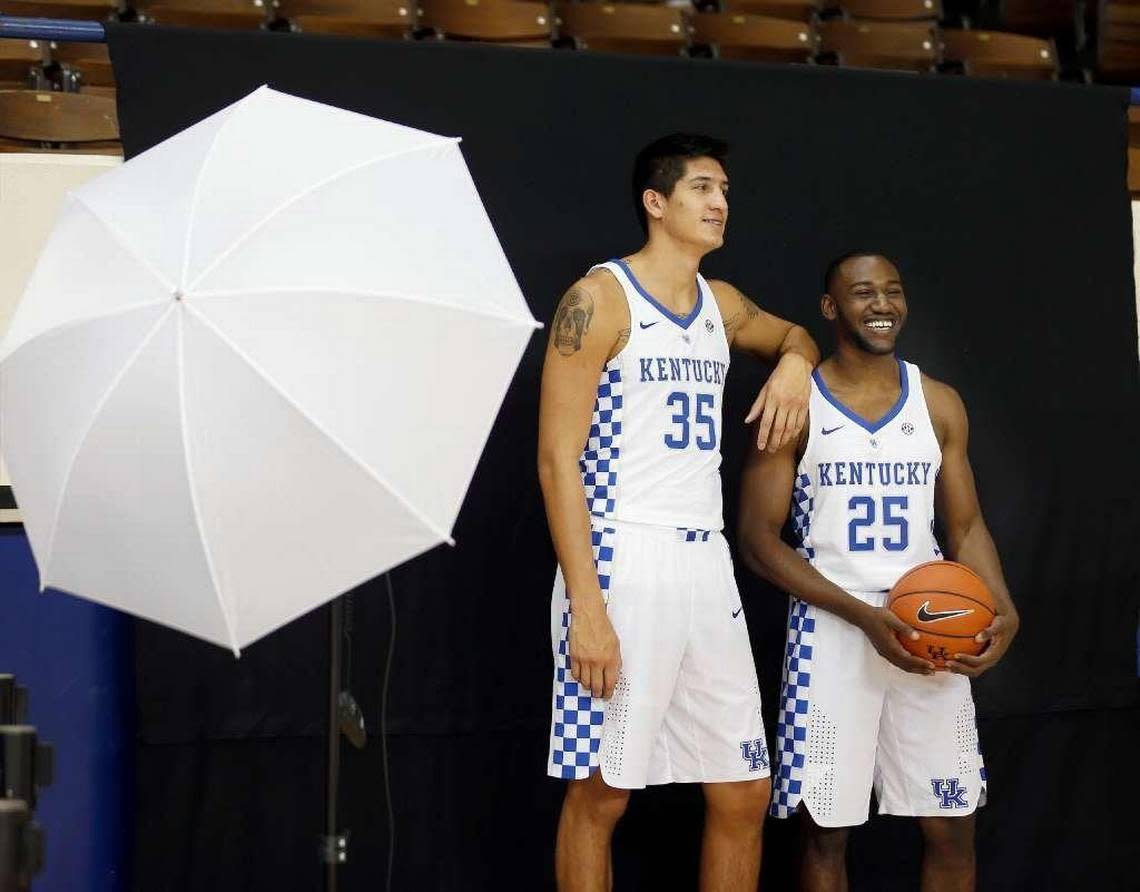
(257,367)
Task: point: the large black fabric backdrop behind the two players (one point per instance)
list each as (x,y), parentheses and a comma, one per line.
(1007,208)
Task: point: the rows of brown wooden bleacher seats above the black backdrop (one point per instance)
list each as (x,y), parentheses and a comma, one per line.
(1076,40)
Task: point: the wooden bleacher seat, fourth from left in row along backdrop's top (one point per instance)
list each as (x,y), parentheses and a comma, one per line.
(515,22)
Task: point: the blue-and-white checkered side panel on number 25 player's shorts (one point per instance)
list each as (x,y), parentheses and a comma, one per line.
(792,720)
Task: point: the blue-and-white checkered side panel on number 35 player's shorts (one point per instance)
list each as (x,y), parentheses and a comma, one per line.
(576,737)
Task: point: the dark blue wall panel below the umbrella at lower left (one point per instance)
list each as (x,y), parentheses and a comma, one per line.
(76,660)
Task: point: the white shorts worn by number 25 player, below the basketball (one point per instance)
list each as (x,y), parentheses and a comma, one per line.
(851,721)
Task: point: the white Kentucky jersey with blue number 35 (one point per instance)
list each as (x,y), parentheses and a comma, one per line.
(654,450)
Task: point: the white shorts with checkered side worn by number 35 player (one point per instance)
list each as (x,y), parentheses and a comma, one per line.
(687,707)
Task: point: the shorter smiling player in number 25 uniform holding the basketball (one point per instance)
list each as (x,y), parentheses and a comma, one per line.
(884,449)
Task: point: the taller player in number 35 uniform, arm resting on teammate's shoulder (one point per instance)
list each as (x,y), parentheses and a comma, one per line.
(654,672)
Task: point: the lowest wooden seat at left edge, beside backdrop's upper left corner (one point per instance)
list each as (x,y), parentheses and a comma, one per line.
(32,120)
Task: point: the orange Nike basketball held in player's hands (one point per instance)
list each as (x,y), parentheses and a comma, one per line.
(948,605)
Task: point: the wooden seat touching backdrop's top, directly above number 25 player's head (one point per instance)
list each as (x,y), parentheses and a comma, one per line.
(898,46)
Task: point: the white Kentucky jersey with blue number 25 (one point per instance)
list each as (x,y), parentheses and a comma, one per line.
(864,501)
